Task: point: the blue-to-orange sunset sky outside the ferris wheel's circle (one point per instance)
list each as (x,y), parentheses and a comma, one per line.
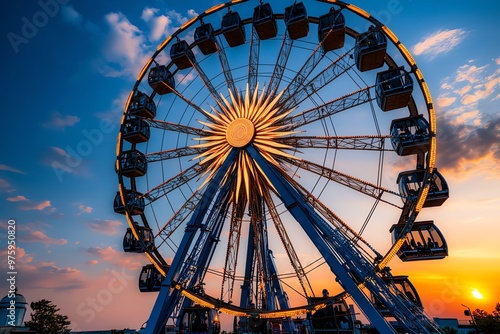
(66,71)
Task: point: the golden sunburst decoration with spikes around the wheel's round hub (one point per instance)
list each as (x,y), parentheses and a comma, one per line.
(247,119)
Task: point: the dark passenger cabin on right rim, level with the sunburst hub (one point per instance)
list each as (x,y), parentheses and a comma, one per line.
(410,135)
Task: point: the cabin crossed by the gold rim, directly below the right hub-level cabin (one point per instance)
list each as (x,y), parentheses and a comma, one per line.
(410,183)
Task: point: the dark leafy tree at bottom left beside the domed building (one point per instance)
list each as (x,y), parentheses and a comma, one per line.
(45,318)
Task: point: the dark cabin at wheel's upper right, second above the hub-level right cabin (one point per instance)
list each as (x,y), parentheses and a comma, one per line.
(370,49)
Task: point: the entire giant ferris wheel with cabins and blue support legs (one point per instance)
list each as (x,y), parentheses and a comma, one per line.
(272,160)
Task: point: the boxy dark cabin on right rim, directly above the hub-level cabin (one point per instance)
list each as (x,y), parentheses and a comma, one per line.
(393,88)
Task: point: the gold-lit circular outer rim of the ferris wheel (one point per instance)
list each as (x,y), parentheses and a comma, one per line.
(154,256)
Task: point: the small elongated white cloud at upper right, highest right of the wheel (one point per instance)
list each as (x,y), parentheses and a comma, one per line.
(439,42)
